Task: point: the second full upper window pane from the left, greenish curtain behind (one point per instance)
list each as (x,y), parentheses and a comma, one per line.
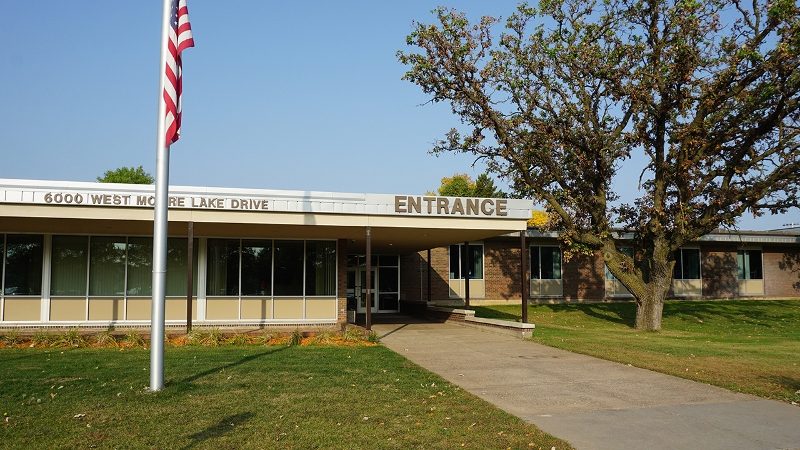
(68,265)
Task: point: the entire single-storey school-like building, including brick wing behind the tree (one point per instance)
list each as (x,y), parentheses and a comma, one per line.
(80,254)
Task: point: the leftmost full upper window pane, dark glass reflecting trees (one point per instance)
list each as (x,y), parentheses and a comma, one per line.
(23,264)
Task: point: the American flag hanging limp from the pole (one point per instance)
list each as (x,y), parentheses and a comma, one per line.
(180,37)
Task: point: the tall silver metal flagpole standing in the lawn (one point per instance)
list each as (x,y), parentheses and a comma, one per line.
(160,220)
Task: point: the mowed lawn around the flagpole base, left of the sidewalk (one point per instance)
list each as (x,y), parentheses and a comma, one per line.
(244,396)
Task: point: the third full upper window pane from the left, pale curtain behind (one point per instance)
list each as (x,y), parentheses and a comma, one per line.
(107,266)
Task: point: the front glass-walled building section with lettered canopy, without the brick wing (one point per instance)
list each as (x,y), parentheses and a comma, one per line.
(80,254)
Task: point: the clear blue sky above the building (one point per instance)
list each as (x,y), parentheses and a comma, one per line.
(301,95)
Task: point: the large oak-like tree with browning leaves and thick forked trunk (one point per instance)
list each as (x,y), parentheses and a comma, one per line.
(705,92)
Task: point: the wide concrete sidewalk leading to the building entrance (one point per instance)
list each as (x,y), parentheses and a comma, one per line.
(593,403)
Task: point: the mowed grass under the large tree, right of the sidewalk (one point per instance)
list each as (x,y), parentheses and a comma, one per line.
(750,346)
